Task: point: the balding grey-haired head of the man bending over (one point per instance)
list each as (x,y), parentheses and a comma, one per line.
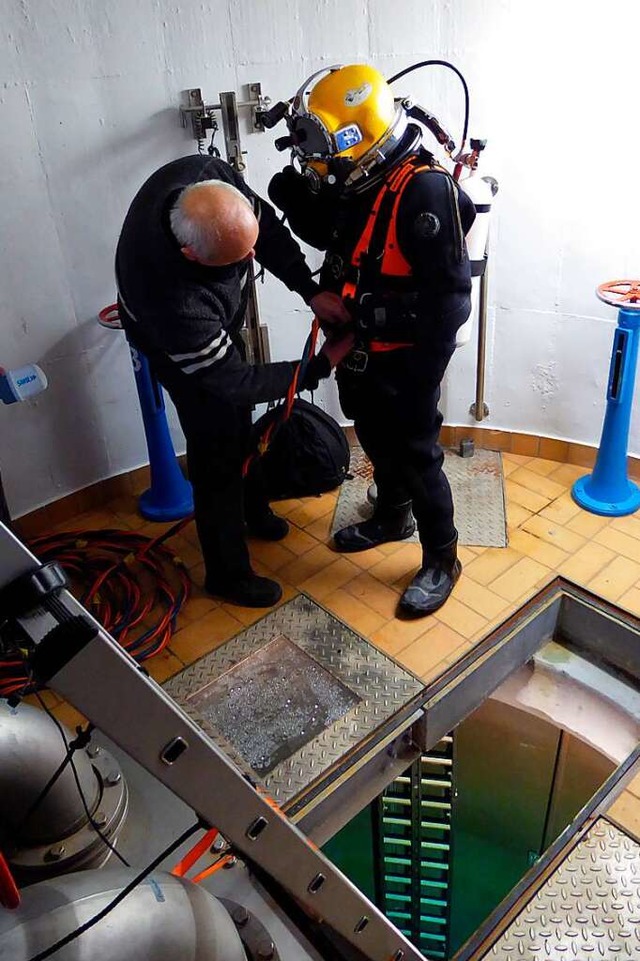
(214,223)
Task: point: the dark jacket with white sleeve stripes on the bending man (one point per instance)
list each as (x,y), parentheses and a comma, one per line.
(187,316)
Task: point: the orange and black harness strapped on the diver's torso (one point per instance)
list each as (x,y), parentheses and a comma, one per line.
(384,320)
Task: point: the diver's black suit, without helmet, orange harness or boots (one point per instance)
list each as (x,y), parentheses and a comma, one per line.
(394,400)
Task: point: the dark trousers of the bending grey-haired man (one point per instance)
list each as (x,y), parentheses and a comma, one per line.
(217,435)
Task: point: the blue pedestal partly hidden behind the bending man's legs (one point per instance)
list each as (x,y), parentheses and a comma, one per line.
(170,497)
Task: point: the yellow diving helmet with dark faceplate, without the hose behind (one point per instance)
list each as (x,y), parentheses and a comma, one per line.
(344,122)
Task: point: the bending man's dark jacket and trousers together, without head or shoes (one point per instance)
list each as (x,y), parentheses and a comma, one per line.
(186,318)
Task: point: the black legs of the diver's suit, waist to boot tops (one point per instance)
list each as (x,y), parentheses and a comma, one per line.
(394,407)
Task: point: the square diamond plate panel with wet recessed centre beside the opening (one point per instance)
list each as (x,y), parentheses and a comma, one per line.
(279,724)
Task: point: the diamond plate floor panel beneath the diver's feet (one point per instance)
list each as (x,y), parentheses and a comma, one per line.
(478,496)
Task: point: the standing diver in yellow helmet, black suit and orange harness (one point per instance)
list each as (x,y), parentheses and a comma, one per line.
(392,223)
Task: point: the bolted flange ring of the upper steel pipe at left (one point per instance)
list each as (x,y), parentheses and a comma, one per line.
(83,848)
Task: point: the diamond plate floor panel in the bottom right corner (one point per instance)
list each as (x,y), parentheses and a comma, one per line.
(589,908)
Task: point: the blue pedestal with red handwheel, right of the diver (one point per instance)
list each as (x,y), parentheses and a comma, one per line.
(608,490)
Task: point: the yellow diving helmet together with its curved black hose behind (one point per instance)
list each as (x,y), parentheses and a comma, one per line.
(344,123)
